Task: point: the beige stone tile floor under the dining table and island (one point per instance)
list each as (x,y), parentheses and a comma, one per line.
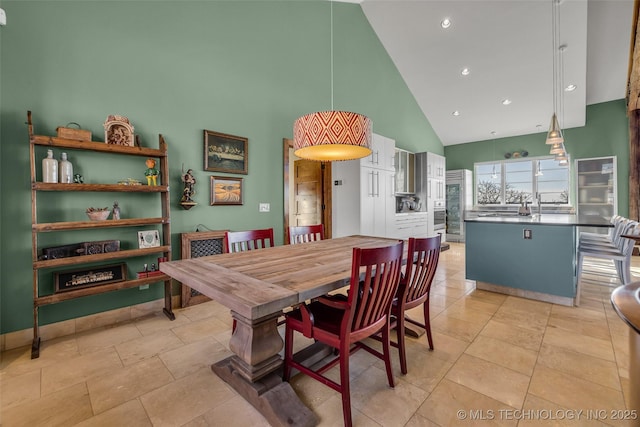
(498,360)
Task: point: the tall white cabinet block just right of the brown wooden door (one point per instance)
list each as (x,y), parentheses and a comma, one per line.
(363,200)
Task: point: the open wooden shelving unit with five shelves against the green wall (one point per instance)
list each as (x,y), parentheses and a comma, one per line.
(51,227)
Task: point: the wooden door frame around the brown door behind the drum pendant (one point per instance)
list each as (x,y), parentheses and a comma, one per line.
(288,157)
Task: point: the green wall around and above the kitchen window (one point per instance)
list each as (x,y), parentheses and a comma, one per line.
(605,133)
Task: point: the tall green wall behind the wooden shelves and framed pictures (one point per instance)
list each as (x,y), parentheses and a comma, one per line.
(175,68)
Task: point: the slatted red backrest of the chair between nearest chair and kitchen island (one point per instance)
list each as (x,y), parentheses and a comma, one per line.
(416,282)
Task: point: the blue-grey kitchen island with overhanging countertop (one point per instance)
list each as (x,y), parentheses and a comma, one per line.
(528,256)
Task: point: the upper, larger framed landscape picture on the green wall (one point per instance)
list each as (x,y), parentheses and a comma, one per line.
(225,153)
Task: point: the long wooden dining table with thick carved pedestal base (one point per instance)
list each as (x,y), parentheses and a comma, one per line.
(257,286)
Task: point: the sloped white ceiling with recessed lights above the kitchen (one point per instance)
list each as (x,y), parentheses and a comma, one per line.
(507,44)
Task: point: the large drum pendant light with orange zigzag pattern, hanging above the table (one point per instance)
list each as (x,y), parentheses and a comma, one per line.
(332,135)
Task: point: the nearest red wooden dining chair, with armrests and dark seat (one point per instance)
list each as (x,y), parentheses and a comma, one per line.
(343,322)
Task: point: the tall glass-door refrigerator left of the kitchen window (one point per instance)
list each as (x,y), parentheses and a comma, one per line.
(459,199)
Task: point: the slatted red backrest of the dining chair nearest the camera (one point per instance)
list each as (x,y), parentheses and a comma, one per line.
(370,300)
